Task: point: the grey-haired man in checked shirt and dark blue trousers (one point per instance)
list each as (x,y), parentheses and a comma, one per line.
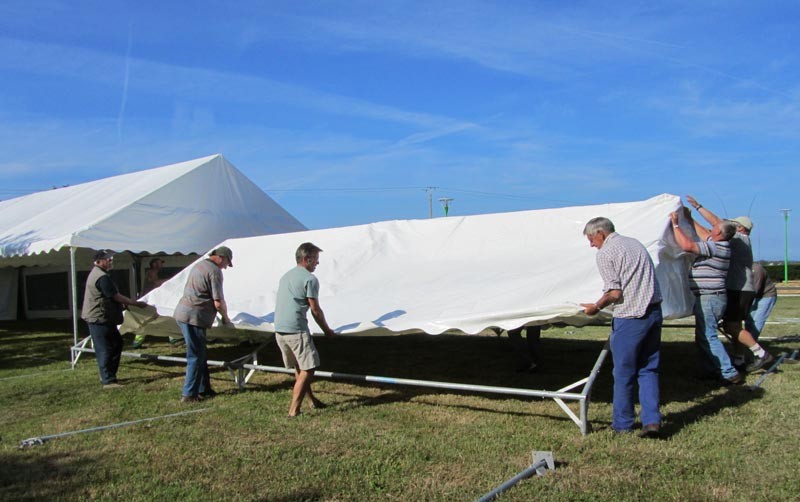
(630,284)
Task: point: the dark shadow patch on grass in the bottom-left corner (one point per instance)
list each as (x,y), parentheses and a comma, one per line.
(30,476)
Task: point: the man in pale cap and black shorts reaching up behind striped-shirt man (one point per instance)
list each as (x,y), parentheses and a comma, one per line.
(740,290)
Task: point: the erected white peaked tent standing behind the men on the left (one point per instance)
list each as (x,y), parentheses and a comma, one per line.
(181,208)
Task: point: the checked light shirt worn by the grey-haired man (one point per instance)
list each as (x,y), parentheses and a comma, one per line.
(624,264)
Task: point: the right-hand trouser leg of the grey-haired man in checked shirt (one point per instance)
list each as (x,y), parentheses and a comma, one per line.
(649,362)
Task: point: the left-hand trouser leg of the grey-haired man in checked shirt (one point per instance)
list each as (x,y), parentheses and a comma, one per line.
(624,344)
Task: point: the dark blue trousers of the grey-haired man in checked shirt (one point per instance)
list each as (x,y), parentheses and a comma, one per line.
(635,346)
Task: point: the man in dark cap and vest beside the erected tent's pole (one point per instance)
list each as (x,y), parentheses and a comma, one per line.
(102,311)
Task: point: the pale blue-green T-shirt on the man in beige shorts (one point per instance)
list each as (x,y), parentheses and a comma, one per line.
(291,303)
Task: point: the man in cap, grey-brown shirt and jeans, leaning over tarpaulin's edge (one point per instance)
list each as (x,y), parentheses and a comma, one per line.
(195,312)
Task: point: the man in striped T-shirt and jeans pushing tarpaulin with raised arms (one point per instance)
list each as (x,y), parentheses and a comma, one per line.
(707,280)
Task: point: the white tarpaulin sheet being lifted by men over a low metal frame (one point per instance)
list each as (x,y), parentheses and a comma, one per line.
(458,274)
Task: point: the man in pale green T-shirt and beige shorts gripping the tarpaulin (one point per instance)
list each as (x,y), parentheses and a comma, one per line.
(298,292)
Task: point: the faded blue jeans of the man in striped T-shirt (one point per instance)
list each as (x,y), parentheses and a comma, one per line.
(708,310)
